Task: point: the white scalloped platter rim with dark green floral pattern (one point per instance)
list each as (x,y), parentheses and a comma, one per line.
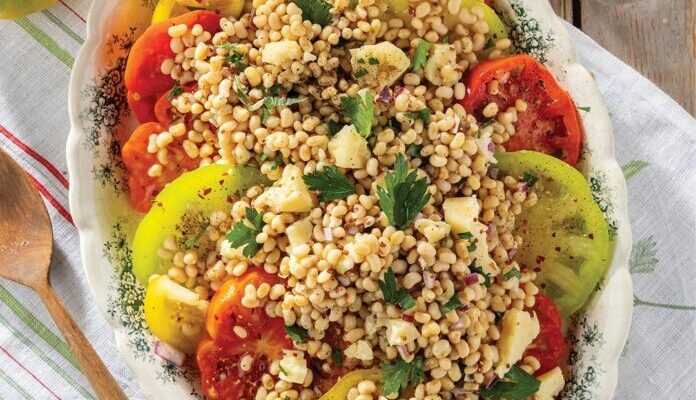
(106,223)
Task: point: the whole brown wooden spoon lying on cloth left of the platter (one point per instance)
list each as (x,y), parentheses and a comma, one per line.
(26,243)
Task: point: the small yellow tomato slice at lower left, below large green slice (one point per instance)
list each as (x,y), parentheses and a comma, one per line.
(174,314)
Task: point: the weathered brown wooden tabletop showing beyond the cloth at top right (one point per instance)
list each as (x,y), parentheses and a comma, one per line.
(656,37)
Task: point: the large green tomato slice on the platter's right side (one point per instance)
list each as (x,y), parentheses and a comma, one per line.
(565,236)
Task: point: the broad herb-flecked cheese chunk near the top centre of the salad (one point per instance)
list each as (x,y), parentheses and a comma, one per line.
(378,65)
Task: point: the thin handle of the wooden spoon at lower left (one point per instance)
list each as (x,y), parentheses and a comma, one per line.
(98,375)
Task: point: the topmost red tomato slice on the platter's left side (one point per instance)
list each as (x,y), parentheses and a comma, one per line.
(143,77)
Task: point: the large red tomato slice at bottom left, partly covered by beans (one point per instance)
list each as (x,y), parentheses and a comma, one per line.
(220,353)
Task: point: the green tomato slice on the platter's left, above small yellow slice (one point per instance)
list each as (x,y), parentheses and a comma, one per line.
(182,209)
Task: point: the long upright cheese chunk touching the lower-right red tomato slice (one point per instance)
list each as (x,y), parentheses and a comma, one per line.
(519,330)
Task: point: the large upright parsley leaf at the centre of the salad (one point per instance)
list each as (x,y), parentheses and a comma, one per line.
(404,196)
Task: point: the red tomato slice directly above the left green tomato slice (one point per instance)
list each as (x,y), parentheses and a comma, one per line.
(144,188)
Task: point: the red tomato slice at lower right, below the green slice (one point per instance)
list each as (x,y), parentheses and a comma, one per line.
(549,345)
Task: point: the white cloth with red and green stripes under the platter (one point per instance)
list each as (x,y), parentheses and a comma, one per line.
(656,144)
